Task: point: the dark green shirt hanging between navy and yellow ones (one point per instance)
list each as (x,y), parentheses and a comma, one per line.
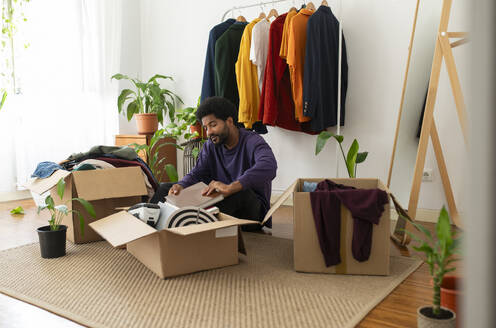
(226,54)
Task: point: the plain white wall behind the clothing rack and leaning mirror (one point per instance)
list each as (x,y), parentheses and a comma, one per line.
(174,40)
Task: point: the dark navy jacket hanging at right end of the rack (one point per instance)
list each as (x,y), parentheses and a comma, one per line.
(320,83)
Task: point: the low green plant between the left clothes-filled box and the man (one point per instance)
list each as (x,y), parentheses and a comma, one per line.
(152,154)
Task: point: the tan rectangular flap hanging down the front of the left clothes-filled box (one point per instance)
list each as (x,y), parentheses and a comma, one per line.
(110,183)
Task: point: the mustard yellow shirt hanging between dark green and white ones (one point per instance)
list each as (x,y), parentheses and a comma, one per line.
(247,80)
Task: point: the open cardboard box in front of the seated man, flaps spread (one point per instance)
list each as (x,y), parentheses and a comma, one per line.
(175,251)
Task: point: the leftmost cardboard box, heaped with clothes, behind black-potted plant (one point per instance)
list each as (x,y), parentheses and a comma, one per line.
(104,189)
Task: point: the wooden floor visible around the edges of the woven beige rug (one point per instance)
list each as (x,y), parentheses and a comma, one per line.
(397,310)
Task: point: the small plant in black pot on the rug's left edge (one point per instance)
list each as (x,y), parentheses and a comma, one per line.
(52,237)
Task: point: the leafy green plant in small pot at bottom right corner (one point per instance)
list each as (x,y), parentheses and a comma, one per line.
(439,256)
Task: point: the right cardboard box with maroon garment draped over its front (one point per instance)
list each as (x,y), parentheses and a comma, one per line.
(307,253)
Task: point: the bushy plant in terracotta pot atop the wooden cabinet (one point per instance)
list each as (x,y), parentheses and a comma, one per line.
(148,102)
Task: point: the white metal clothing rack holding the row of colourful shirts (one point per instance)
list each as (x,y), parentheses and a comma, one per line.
(338,128)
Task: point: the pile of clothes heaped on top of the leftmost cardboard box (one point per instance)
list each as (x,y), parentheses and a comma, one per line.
(98,158)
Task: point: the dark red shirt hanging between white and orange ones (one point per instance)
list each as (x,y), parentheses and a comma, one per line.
(276,102)
